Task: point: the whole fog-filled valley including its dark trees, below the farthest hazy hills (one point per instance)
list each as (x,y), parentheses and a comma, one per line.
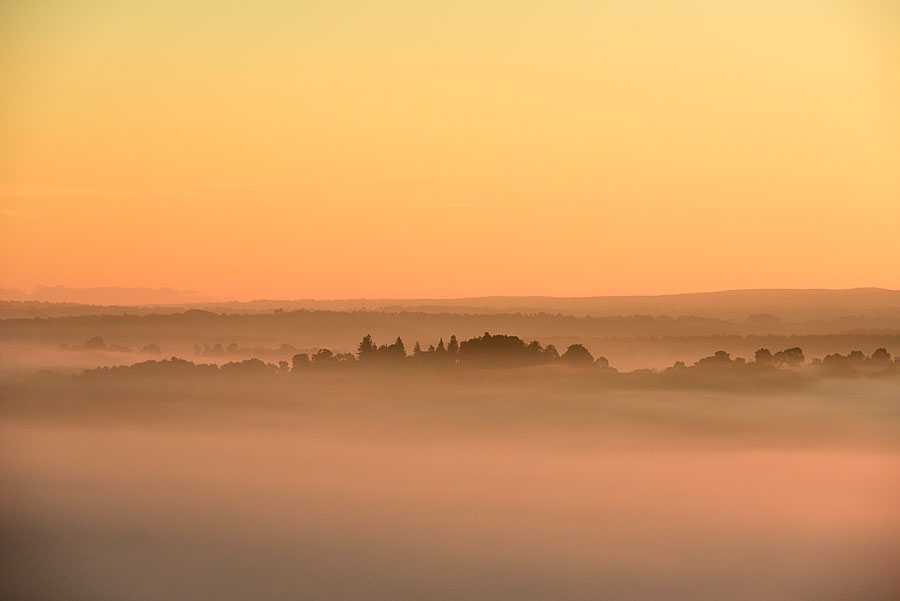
(198,455)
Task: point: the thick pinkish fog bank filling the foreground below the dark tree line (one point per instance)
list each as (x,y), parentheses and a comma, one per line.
(486,484)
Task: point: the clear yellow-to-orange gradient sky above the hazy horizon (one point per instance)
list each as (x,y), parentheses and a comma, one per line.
(400,148)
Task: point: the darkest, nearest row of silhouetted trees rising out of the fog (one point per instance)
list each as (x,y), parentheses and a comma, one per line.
(503,351)
